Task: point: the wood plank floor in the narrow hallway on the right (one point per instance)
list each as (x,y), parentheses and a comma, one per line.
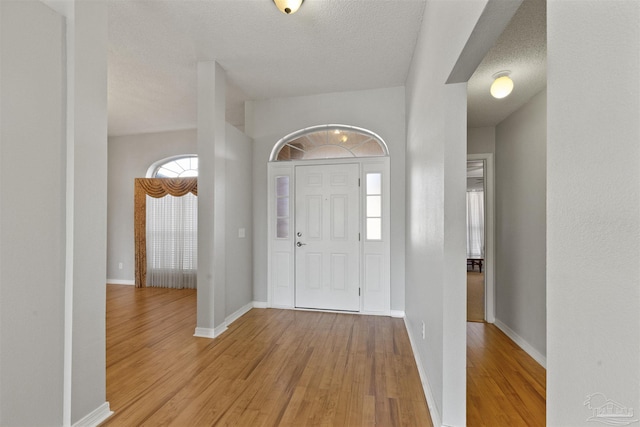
(505,386)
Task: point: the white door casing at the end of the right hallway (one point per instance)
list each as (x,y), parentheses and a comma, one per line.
(489,250)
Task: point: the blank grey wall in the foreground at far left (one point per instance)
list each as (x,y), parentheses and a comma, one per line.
(32,215)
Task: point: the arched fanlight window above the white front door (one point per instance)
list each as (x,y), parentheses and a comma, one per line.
(329,142)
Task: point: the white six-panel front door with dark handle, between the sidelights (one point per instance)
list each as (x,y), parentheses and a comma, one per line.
(327,227)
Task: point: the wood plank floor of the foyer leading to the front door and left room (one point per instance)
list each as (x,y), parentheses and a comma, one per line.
(271,368)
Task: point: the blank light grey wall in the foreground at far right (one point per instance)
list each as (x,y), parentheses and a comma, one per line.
(593,206)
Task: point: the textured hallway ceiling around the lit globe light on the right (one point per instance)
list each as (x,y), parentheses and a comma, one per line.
(521,49)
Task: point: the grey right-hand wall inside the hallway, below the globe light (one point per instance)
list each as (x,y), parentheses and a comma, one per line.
(521,190)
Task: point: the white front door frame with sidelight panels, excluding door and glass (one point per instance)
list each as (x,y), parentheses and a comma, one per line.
(375,268)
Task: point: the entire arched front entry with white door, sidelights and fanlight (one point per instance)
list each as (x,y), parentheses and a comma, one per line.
(328,202)
